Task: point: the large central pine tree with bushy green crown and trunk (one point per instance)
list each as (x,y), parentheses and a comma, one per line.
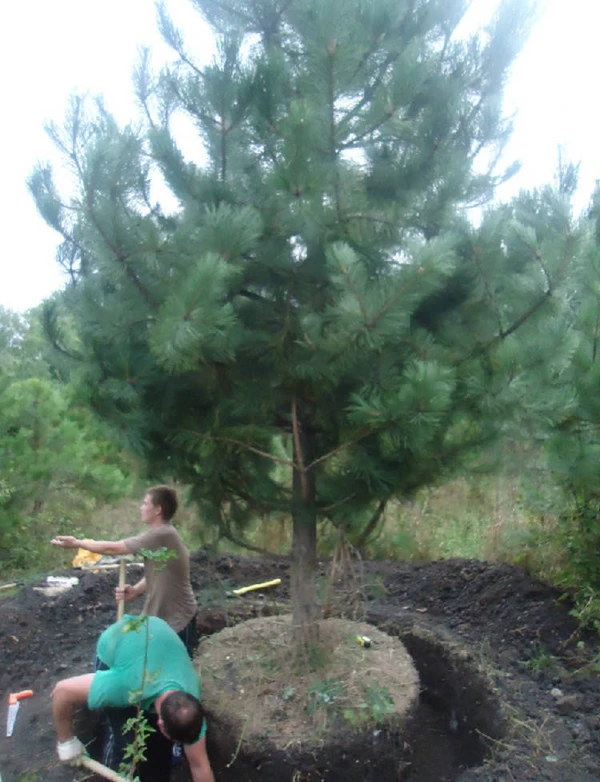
(317,327)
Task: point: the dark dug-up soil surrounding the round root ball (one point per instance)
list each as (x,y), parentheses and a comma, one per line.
(507,683)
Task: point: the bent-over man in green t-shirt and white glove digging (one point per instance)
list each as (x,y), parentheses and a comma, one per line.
(147,664)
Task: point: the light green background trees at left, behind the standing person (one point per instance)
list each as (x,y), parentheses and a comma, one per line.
(57,460)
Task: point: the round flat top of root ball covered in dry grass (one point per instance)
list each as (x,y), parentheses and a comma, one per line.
(251,684)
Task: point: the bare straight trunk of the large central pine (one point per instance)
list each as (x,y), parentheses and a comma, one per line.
(304,548)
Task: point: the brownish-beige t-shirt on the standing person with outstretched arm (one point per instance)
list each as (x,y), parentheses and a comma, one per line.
(168,590)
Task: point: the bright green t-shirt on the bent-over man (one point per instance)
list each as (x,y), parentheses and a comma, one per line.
(122,649)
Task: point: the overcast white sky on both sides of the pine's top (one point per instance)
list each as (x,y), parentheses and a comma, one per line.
(51,48)
